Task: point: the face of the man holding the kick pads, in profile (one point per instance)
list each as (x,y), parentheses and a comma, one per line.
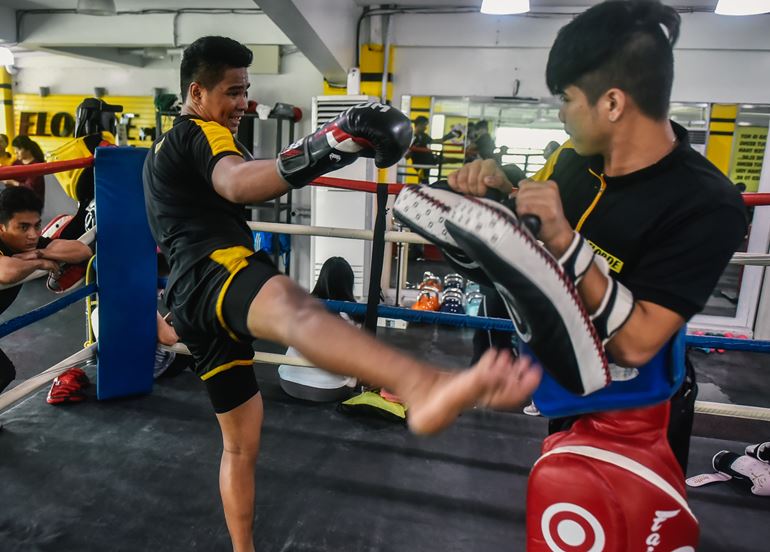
(582,122)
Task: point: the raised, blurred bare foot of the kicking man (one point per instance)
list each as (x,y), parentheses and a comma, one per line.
(496,381)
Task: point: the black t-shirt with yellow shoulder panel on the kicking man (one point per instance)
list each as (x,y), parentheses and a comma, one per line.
(188,218)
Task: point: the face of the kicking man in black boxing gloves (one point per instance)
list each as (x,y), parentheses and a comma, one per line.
(226,102)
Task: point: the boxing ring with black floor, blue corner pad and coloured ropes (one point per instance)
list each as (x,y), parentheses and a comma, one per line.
(116,474)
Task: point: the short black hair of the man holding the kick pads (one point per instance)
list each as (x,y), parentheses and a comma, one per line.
(626,44)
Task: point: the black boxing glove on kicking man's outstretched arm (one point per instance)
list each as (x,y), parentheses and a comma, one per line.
(368,130)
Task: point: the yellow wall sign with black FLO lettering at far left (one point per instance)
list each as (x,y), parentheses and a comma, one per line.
(38,113)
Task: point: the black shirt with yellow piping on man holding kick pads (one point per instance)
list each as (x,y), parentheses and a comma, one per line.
(668,230)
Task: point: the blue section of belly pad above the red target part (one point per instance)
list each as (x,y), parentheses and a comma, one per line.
(657,381)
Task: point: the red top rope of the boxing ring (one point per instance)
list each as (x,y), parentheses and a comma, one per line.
(36,169)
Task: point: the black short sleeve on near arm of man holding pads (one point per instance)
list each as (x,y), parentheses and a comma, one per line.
(684,260)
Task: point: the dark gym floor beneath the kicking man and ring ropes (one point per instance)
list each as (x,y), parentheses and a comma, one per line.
(141,473)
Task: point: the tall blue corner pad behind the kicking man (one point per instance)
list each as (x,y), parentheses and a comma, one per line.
(127,273)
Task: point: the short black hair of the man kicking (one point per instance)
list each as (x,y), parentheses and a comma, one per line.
(206,60)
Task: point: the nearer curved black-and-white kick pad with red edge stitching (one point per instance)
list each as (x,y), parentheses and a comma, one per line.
(541,299)
